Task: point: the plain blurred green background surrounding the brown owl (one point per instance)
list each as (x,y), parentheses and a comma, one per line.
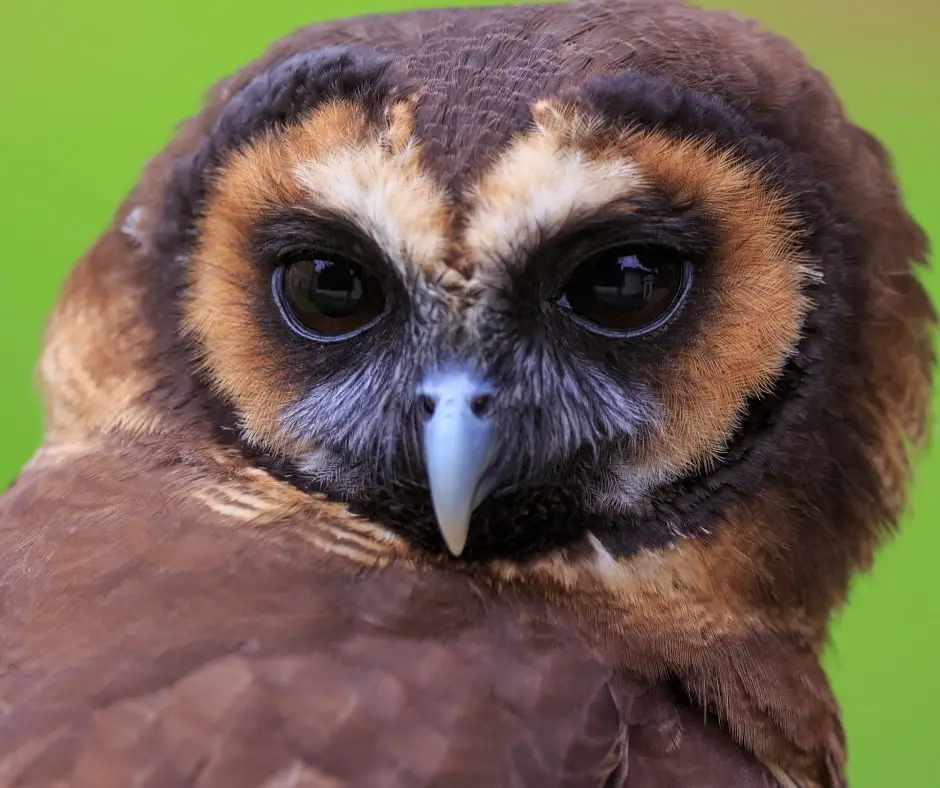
(91,88)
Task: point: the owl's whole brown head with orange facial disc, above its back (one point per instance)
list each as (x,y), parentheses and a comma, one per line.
(594,279)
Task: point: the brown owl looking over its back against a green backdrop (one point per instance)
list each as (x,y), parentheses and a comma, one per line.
(482,397)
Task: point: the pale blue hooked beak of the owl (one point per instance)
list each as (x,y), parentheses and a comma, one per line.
(458,449)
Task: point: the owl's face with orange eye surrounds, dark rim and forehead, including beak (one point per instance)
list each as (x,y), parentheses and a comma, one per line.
(505,309)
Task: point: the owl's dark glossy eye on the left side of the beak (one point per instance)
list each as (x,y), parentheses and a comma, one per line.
(326,297)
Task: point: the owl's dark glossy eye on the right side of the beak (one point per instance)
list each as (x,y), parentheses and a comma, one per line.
(627,290)
